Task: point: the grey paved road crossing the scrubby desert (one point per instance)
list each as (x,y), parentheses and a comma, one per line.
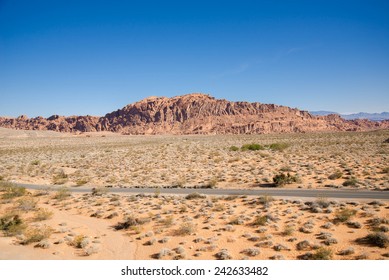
(303,193)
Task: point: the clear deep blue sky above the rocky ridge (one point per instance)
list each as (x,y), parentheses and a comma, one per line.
(93,57)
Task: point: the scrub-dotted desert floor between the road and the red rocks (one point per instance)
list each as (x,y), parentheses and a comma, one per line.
(314,160)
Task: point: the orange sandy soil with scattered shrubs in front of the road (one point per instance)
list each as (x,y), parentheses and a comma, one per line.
(176,227)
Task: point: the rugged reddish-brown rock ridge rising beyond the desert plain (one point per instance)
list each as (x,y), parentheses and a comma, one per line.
(195,114)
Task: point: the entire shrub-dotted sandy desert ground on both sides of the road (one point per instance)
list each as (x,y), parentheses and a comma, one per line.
(58,224)
